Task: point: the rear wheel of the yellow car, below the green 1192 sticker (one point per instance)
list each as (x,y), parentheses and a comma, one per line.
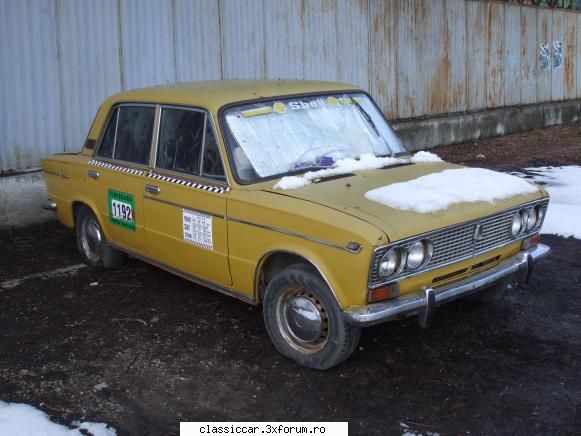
(92,243)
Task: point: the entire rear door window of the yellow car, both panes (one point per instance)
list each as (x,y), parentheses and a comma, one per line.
(128,135)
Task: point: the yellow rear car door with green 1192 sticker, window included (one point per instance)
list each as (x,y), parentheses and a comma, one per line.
(118,172)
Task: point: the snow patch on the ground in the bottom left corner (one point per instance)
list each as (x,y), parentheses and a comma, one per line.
(22,419)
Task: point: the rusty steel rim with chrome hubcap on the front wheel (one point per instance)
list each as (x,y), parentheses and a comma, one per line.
(302,320)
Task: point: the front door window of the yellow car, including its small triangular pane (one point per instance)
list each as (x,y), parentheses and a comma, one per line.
(187,144)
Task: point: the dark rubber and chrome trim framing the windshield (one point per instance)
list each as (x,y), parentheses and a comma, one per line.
(228,136)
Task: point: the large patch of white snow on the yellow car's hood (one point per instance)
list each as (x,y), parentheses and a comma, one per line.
(438,191)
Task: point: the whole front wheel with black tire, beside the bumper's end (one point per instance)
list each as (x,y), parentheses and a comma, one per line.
(321,342)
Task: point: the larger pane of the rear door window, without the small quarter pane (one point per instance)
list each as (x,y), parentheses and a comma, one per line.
(134,131)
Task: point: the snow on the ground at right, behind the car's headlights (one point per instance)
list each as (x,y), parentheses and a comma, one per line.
(564,186)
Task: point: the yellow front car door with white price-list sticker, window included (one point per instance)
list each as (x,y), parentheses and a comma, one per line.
(185,198)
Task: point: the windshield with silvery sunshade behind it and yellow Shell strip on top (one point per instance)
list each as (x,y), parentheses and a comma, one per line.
(286,136)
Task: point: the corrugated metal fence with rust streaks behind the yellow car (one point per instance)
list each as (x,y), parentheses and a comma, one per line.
(61,58)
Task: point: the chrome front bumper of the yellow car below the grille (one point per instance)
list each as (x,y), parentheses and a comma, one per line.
(424,302)
